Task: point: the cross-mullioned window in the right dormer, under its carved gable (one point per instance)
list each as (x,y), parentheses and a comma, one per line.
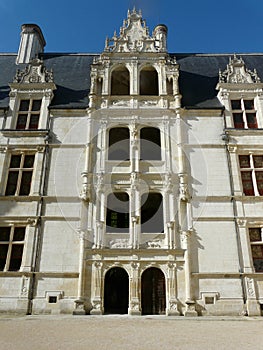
(244,114)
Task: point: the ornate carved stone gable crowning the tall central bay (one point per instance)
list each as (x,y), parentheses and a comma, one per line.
(134,36)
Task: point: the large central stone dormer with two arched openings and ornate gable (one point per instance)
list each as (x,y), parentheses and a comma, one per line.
(135,70)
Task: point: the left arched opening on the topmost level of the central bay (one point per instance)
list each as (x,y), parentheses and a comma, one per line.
(120,81)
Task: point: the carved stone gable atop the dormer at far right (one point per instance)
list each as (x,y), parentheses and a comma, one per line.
(237,73)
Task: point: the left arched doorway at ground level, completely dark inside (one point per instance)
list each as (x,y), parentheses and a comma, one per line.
(116,291)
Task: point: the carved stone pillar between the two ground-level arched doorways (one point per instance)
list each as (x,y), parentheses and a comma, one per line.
(134,302)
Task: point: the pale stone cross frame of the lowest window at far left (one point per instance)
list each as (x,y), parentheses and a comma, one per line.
(11,243)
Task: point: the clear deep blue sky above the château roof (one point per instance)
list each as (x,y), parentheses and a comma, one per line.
(208,26)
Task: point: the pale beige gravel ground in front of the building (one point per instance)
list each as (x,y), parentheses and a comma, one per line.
(129,333)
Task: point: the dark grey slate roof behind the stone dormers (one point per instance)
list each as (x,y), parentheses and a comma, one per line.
(197,80)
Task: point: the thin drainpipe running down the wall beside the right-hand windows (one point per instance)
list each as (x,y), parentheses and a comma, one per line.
(225,138)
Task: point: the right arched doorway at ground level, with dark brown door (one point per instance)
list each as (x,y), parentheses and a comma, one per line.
(153,292)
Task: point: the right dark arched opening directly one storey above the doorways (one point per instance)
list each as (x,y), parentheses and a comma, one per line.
(152,213)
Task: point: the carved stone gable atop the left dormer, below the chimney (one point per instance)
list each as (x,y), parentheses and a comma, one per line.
(35,72)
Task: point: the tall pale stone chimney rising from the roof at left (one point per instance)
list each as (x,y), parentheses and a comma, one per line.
(31,44)
